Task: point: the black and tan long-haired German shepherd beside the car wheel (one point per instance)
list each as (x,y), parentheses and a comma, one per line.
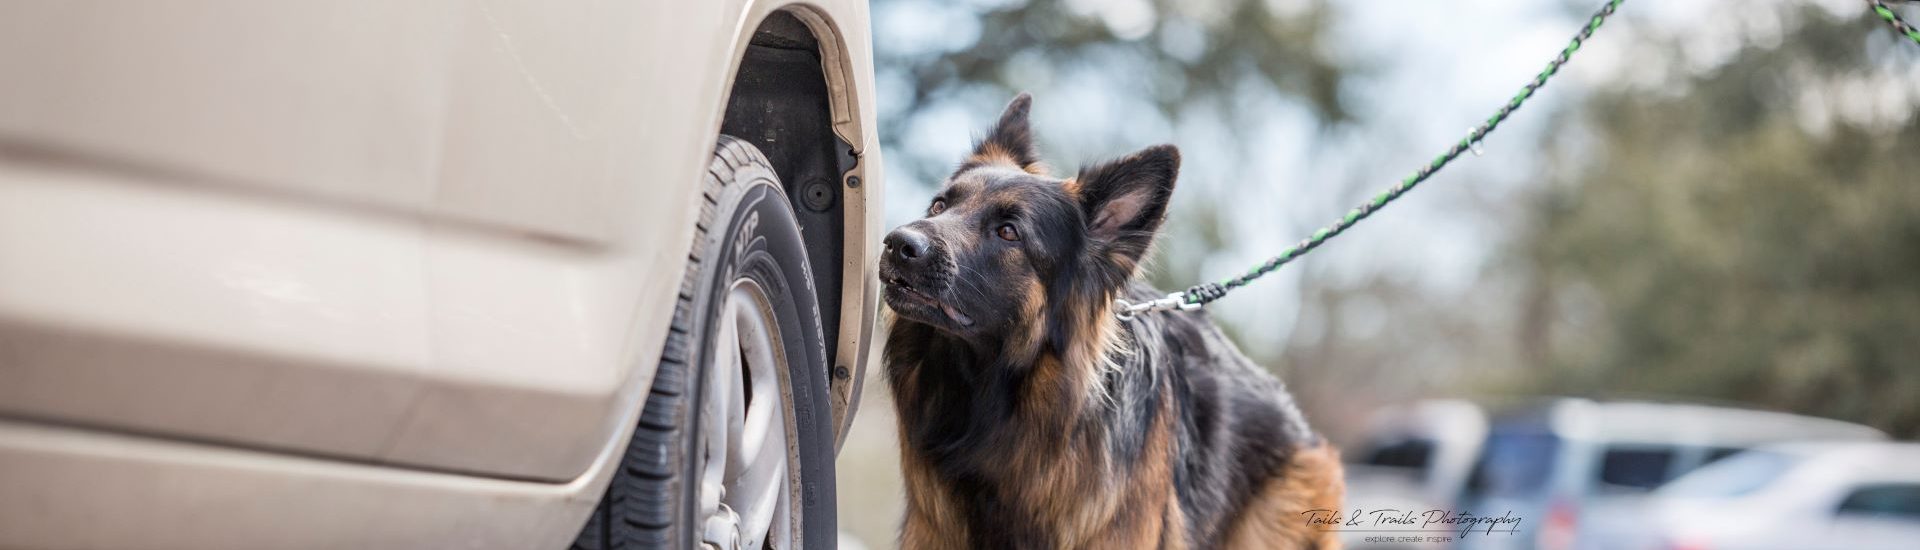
(1034,418)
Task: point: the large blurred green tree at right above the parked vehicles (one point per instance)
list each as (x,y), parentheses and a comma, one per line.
(1748,232)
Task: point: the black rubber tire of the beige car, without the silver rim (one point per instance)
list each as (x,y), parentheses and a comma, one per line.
(746,232)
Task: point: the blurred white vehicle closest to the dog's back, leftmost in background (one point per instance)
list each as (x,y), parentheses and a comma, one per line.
(1416,457)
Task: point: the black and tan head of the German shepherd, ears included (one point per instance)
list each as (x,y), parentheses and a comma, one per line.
(1013,259)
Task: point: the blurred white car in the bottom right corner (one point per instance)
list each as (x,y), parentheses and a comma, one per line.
(1792,497)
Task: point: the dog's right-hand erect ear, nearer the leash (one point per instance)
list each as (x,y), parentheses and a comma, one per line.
(1126,201)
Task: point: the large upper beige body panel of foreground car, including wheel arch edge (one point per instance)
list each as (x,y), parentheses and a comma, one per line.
(443,236)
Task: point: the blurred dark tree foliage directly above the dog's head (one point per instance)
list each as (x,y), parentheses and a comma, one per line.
(1172,55)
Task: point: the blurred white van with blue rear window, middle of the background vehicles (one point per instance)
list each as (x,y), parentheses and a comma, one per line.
(1570,468)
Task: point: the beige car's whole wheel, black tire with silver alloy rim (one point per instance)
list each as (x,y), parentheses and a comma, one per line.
(734,447)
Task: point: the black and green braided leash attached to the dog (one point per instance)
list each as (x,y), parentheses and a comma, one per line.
(1201,295)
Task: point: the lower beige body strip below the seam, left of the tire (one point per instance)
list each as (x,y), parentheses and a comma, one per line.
(85,489)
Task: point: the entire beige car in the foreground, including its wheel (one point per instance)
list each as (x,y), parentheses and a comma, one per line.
(433,274)
